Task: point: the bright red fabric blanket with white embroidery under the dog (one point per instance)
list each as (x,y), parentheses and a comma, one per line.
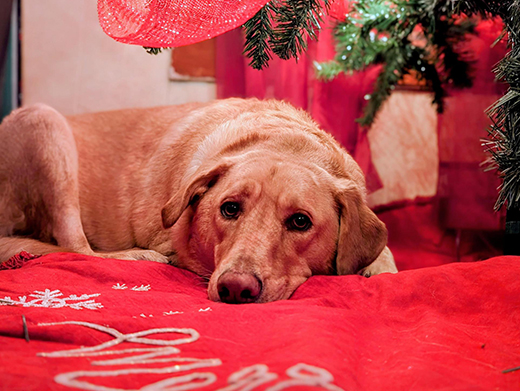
(454,327)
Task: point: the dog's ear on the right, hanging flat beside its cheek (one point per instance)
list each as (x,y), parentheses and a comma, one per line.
(362,236)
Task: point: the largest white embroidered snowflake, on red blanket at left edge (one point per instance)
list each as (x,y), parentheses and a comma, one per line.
(52,299)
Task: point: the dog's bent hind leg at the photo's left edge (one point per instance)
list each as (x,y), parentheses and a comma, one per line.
(39,165)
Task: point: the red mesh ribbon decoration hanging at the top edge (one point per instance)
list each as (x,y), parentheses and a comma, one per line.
(171,23)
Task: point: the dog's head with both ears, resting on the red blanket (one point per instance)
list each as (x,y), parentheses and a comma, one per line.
(260,226)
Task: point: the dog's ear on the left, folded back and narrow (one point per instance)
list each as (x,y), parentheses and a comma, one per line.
(190,190)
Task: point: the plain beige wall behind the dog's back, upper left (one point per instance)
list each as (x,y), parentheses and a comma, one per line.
(69,63)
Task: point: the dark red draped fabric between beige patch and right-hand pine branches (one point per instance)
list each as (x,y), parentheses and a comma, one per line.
(466,193)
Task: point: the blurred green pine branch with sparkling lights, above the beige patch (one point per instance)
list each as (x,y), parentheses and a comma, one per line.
(379,31)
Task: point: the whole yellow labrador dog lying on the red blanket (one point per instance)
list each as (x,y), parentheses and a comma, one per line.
(249,194)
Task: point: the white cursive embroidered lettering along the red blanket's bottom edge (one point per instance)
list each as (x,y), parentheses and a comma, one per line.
(246,379)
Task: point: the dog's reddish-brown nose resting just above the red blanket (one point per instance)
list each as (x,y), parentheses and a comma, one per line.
(237,288)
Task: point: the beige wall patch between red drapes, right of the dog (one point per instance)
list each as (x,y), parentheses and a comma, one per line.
(404,147)
